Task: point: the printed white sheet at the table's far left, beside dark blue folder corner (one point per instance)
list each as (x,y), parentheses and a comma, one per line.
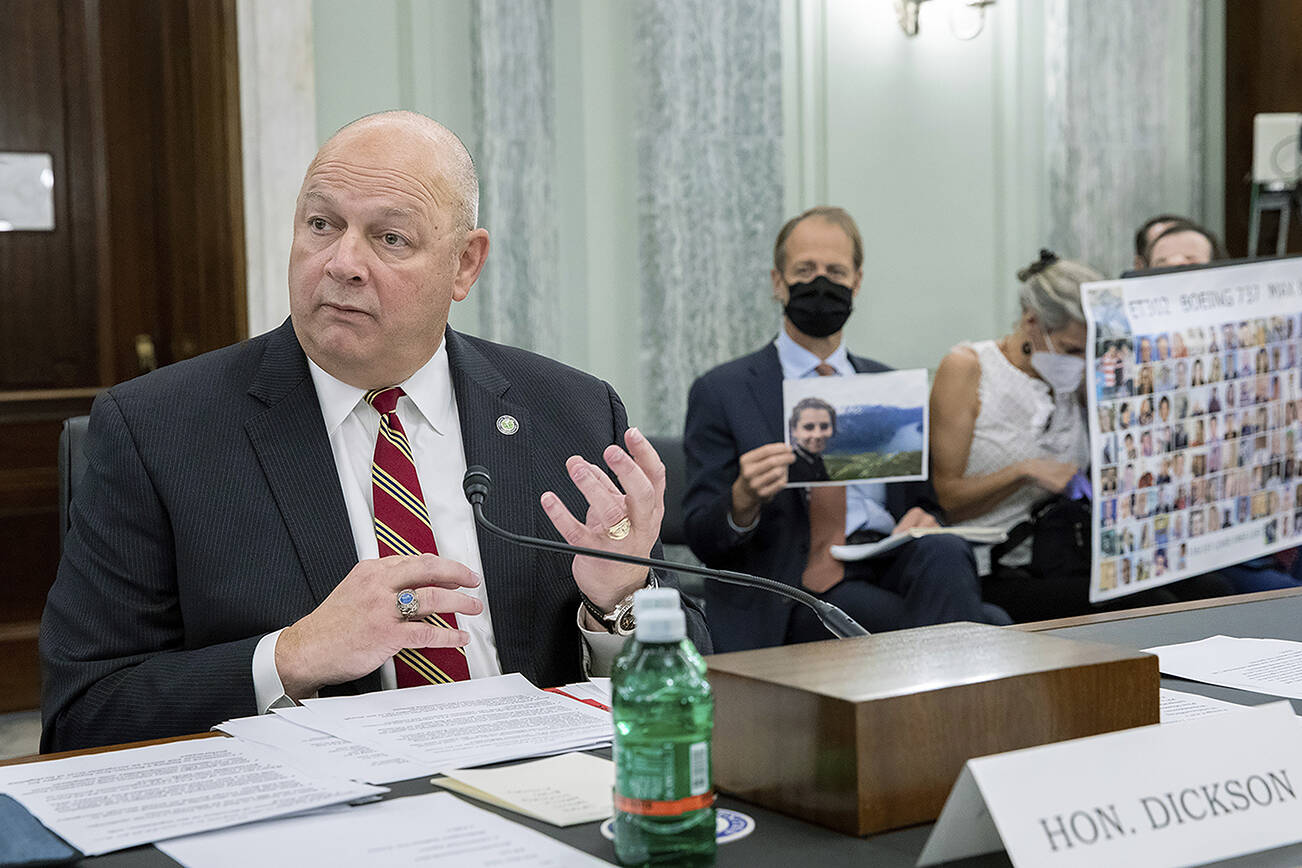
(106,802)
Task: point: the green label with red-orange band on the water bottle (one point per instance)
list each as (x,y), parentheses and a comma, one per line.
(663,780)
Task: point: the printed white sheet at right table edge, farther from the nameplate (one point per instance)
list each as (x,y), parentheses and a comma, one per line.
(1271,667)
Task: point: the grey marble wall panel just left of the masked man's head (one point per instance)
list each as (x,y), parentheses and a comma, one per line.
(710,188)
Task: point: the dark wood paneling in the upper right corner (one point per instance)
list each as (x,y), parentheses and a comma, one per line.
(1264,74)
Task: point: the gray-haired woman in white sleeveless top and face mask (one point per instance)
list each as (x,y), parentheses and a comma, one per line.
(1008,427)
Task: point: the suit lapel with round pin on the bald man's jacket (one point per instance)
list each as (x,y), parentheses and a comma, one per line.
(508,569)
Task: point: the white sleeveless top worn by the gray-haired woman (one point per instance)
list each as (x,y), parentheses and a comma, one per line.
(1019,420)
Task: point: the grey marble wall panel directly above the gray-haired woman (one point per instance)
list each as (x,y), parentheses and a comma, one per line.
(1124,92)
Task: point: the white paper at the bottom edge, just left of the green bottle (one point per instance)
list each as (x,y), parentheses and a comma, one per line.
(436,830)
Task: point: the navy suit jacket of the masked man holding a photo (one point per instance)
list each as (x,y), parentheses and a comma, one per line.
(731,411)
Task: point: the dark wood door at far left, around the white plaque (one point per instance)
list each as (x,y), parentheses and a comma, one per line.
(49,332)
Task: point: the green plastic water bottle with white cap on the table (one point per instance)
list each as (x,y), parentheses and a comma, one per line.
(665,712)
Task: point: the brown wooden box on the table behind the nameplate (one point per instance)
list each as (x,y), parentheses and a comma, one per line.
(869,735)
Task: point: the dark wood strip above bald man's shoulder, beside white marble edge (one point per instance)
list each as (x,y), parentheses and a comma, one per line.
(173,141)
